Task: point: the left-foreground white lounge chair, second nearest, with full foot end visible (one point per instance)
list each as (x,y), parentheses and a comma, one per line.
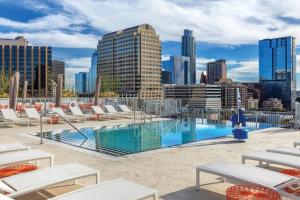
(32,181)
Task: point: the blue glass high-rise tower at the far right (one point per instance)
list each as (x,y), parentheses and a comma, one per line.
(277,69)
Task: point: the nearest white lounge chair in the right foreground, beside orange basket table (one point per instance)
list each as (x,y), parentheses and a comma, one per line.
(249,175)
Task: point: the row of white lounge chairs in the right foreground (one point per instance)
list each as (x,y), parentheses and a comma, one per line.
(284,156)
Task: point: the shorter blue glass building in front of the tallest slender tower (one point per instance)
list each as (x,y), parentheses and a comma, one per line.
(177,70)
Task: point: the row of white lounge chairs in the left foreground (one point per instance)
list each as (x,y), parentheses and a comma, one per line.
(17,185)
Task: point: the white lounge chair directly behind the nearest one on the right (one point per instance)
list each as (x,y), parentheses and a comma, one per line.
(272,158)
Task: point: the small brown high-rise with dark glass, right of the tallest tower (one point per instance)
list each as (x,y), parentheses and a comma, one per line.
(216,71)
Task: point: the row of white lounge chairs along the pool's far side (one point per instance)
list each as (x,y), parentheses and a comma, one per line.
(32,115)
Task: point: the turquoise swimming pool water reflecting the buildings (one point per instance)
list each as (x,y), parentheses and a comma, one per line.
(135,138)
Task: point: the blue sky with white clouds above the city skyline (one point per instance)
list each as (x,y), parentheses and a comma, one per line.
(228,29)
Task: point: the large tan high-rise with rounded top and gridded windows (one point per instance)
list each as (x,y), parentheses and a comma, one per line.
(132,59)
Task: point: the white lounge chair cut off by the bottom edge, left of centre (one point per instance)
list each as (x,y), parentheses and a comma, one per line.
(112,190)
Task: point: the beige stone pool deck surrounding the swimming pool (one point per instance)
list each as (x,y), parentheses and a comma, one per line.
(171,171)
